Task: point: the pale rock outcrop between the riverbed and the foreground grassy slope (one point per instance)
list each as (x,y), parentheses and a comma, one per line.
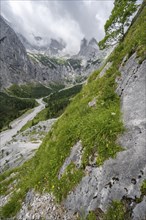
(23,145)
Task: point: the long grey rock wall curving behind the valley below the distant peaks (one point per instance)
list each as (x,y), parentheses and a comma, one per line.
(16,67)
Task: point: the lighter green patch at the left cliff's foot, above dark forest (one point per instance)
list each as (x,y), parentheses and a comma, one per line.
(29,90)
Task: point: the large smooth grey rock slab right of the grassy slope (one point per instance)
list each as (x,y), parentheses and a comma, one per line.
(122,176)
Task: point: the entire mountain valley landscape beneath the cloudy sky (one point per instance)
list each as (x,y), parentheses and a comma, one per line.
(73,127)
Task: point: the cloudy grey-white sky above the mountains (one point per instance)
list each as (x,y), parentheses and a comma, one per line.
(70,20)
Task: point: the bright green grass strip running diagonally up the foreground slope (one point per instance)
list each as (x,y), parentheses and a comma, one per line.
(97,127)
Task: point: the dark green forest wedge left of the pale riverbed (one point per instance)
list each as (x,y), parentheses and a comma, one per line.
(13,107)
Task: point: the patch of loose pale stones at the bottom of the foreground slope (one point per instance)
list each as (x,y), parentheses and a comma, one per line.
(42,206)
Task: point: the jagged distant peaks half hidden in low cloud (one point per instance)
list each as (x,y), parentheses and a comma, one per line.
(88,49)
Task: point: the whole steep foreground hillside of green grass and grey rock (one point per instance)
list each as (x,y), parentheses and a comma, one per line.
(80,160)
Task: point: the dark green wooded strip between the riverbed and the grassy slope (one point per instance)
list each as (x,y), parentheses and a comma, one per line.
(56,104)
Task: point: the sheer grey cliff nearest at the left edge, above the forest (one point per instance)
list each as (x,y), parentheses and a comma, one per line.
(14,62)
